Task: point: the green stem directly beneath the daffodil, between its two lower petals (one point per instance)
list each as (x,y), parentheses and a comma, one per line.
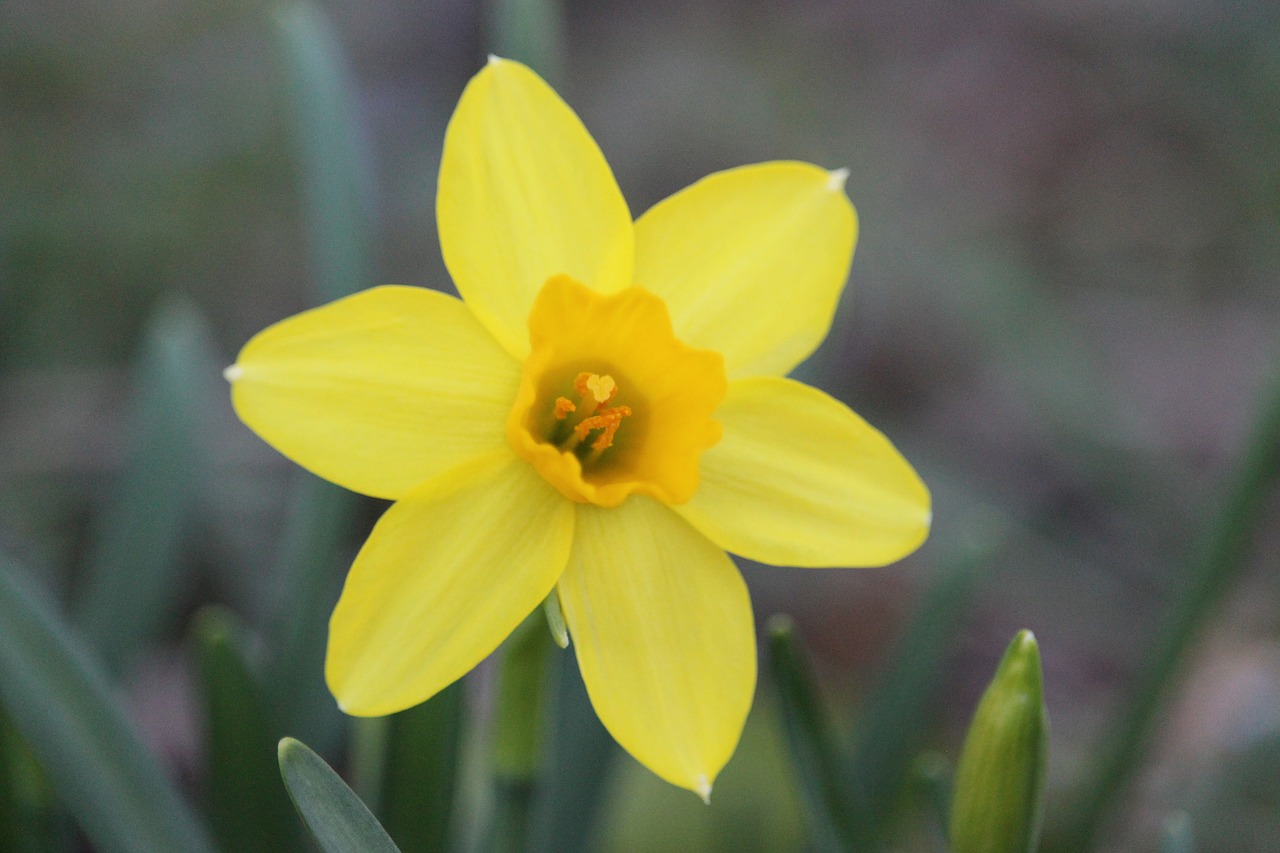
(519,732)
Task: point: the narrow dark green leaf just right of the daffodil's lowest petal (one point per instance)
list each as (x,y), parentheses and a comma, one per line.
(815,749)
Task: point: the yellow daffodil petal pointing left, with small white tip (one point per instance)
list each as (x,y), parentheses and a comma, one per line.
(380,391)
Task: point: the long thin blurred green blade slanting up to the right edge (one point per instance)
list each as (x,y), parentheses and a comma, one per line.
(1222,556)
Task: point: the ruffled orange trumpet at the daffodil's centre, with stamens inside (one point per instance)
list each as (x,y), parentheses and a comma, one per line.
(611,403)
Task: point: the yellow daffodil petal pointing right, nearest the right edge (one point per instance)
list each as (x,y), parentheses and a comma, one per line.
(802,481)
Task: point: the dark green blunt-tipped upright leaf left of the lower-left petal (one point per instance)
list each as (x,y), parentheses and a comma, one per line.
(249,806)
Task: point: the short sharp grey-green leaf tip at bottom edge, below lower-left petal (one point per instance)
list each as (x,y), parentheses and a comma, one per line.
(339,822)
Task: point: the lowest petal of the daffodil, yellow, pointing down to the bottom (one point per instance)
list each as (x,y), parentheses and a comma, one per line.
(664,631)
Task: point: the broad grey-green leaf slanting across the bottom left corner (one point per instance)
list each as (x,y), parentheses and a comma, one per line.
(62,703)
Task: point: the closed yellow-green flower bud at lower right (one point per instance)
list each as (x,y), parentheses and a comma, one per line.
(1000,783)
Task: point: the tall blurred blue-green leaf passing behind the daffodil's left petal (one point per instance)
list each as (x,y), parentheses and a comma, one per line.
(336,188)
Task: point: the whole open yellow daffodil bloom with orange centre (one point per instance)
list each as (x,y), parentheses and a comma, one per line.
(601,417)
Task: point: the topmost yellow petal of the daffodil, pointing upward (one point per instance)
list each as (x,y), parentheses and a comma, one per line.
(525,194)
